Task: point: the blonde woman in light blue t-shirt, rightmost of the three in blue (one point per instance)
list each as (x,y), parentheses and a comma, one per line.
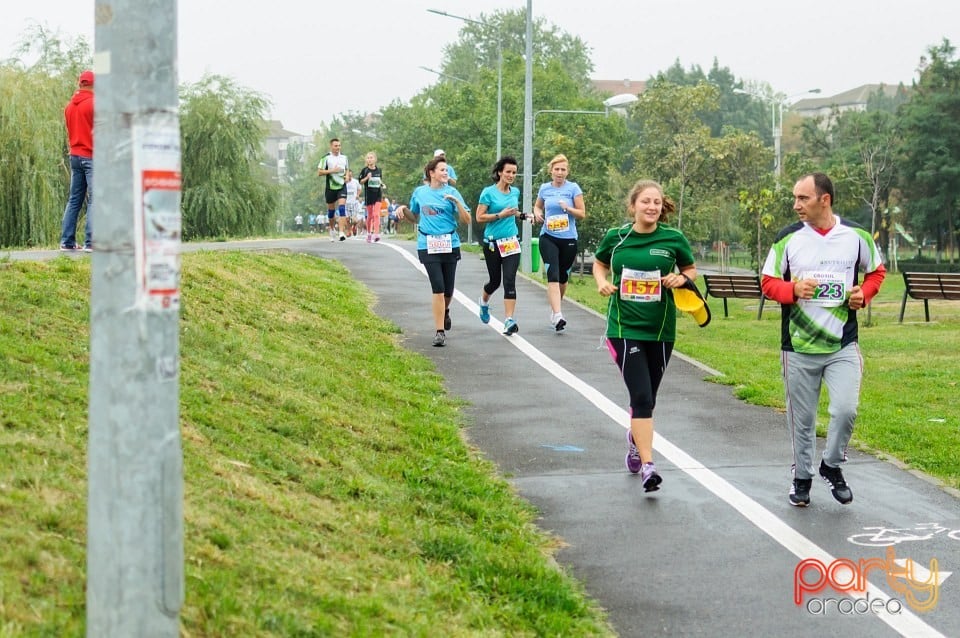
(559,205)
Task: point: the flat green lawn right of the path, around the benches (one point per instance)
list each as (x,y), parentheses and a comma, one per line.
(908,404)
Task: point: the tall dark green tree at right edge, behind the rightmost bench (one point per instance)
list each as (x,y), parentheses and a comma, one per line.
(930,169)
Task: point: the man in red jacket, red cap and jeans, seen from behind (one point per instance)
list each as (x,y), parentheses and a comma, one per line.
(79,118)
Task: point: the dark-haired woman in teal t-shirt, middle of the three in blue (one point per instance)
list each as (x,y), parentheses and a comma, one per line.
(499,210)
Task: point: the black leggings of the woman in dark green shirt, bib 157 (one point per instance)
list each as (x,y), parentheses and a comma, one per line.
(642,364)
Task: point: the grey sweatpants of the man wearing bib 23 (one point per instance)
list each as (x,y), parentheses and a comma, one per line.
(802,378)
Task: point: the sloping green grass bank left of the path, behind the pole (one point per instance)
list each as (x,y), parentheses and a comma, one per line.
(322,499)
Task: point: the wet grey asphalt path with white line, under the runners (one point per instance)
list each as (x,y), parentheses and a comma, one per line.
(718,550)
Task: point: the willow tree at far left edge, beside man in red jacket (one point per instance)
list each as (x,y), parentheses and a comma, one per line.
(34,173)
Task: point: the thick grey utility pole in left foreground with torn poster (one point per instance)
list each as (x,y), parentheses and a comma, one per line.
(135,582)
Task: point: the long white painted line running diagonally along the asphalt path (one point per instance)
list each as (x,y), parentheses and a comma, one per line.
(906,623)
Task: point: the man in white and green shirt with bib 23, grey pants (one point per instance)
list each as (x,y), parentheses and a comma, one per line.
(812,270)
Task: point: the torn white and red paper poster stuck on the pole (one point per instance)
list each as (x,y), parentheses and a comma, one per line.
(157,221)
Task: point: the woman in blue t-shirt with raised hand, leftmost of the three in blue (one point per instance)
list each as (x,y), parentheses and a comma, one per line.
(436,207)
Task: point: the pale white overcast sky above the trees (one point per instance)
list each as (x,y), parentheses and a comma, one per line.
(320,58)
